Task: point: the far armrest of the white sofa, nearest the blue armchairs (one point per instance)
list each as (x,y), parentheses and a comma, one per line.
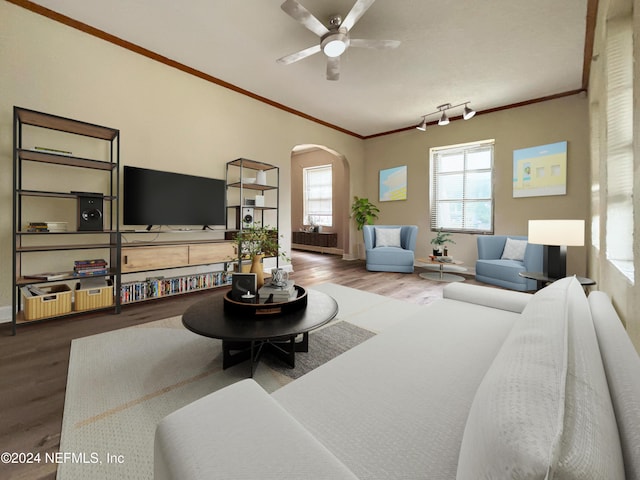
(487,296)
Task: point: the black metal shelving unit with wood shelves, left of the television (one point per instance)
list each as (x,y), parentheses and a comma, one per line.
(24,117)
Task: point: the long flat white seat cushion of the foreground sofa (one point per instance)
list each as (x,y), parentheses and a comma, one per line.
(395,406)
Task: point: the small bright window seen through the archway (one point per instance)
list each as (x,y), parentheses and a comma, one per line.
(318,195)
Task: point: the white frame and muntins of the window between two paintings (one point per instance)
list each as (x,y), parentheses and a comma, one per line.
(436,176)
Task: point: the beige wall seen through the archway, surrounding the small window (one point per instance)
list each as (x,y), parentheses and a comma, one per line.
(340,178)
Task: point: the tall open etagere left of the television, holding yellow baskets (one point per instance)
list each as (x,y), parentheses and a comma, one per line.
(30,123)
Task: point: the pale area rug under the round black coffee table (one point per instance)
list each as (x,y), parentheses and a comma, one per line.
(122,383)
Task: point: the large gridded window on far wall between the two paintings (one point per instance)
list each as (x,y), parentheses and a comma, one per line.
(462,187)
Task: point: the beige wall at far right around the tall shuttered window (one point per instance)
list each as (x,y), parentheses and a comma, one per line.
(624,293)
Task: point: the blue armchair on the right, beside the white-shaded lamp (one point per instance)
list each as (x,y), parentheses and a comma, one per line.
(503,272)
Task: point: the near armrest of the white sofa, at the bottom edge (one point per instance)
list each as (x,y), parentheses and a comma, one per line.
(240,432)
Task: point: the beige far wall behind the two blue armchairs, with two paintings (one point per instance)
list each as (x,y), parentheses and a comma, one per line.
(537,124)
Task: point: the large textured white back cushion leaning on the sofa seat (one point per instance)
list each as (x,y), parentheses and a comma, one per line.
(543,409)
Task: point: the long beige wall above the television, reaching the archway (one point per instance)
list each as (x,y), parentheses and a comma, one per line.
(168,119)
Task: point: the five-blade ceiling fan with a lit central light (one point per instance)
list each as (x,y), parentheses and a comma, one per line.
(334,40)
